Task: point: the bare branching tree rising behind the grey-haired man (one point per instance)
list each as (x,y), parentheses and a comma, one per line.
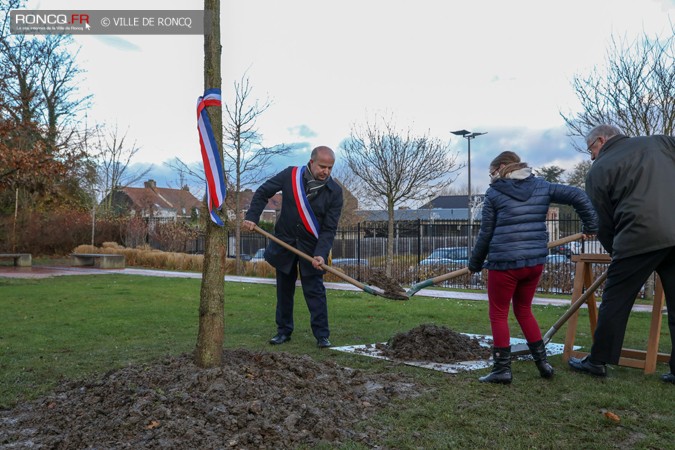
(634,91)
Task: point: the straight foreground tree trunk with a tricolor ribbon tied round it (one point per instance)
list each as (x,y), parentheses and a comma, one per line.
(209,351)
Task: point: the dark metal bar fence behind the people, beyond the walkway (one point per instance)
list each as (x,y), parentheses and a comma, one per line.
(361,249)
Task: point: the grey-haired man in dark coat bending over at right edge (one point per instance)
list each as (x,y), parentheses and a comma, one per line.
(630,184)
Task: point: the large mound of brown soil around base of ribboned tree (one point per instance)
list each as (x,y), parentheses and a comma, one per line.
(262,400)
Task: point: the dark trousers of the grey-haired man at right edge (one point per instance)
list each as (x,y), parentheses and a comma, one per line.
(625,278)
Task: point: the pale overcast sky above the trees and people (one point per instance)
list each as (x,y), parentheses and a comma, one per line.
(502,67)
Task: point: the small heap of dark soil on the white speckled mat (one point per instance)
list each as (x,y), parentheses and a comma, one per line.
(429,342)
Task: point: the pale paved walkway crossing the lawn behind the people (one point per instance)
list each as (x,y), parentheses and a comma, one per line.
(52,271)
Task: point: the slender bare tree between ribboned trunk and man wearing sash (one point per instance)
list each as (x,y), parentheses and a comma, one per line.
(246,159)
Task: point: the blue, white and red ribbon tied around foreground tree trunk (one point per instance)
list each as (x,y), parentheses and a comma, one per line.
(213,167)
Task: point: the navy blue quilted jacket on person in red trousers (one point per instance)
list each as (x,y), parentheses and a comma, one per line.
(513,227)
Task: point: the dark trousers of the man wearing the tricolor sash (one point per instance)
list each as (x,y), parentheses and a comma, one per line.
(315,297)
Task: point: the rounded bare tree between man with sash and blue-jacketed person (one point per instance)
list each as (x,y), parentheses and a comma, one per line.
(395,166)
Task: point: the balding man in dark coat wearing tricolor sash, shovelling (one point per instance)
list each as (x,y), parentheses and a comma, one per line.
(310,211)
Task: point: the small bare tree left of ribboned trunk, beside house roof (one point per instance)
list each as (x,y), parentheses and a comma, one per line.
(113,159)
